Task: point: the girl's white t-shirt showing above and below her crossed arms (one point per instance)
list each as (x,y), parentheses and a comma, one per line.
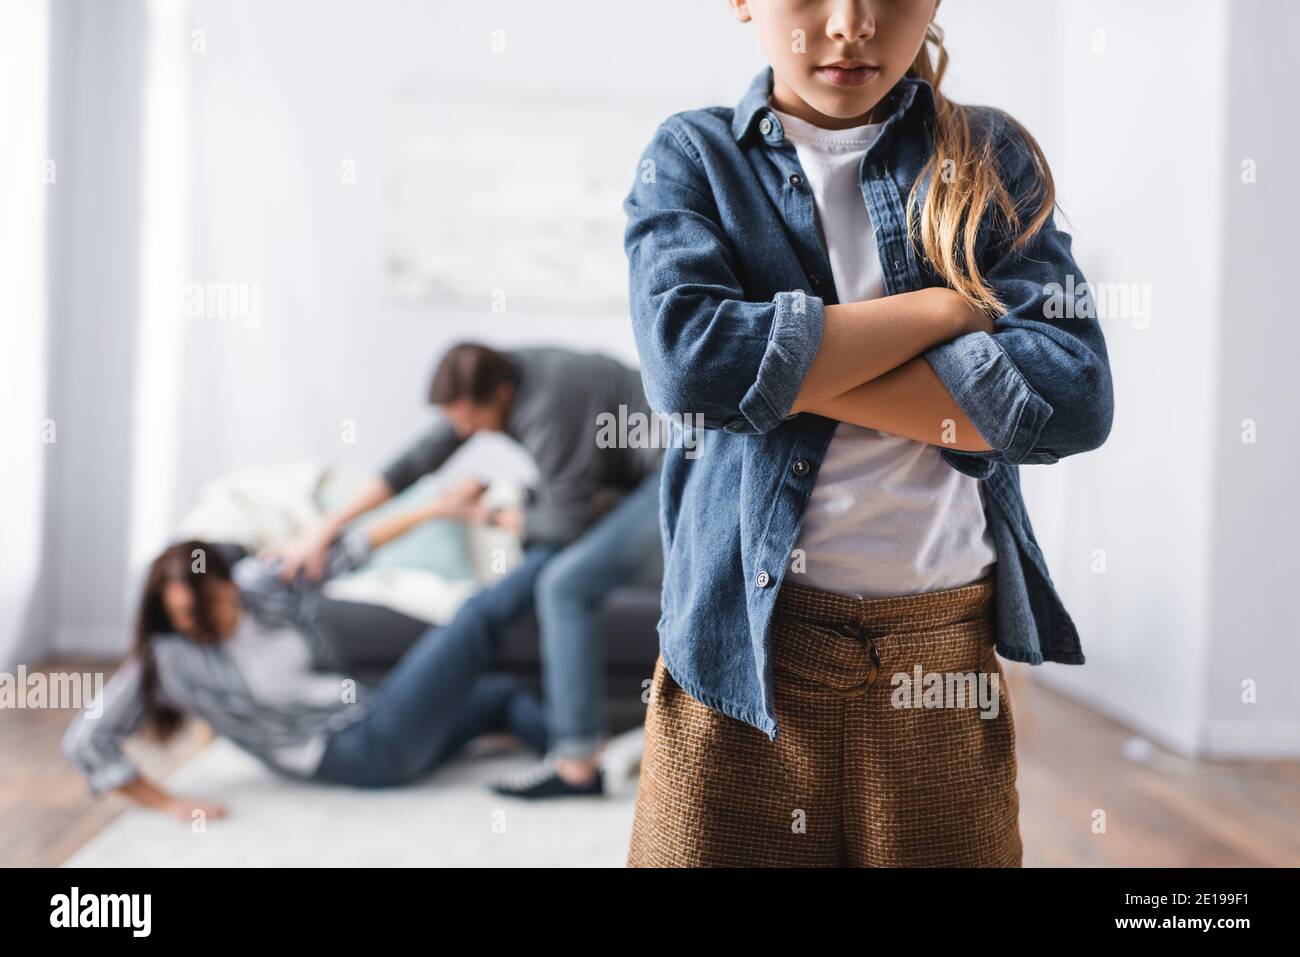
(887,516)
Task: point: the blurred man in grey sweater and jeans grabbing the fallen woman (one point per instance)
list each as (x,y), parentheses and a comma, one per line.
(596,508)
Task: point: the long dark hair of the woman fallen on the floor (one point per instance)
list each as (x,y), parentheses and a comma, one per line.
(200,566)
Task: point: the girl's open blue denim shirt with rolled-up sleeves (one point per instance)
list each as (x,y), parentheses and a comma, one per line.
(729,283)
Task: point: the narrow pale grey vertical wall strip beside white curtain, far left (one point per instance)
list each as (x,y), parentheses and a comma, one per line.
(96,93)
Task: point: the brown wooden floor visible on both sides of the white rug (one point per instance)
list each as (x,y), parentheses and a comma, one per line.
(1159,812)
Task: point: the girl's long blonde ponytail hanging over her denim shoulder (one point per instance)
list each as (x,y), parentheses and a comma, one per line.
(947,224)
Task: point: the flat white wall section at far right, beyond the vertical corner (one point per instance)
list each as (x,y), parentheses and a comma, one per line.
(1254,626)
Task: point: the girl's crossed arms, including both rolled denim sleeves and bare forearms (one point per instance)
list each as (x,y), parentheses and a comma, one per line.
(1033,391)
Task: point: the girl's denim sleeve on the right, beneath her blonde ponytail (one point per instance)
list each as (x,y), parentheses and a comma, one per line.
(1039,388)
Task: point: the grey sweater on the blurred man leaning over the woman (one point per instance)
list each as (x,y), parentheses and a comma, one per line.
(557,417)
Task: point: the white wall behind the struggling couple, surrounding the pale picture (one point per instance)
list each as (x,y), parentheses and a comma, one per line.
(284,94)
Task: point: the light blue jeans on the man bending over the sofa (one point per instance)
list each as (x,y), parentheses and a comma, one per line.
(622,547)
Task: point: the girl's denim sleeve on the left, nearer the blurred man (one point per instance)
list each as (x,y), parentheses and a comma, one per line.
(704,349)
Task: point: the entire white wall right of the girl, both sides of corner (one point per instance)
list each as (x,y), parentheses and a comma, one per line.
(1147,112)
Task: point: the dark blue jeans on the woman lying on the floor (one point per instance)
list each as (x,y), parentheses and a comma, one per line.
(439,696)
